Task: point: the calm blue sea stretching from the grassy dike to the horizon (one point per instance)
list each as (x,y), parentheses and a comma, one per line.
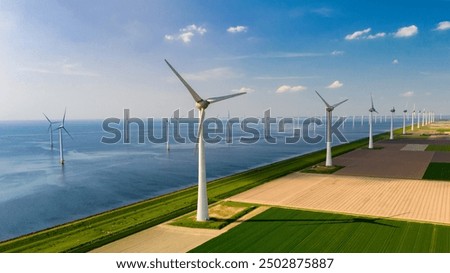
(36,192)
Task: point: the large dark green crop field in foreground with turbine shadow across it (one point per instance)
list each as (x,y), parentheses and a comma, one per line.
(279,230)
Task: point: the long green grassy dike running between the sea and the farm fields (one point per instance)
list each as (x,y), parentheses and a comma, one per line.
(95,231)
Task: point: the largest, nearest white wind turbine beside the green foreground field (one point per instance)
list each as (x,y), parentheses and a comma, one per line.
(201,105)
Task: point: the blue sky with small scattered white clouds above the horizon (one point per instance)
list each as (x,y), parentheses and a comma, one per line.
(98,57)
